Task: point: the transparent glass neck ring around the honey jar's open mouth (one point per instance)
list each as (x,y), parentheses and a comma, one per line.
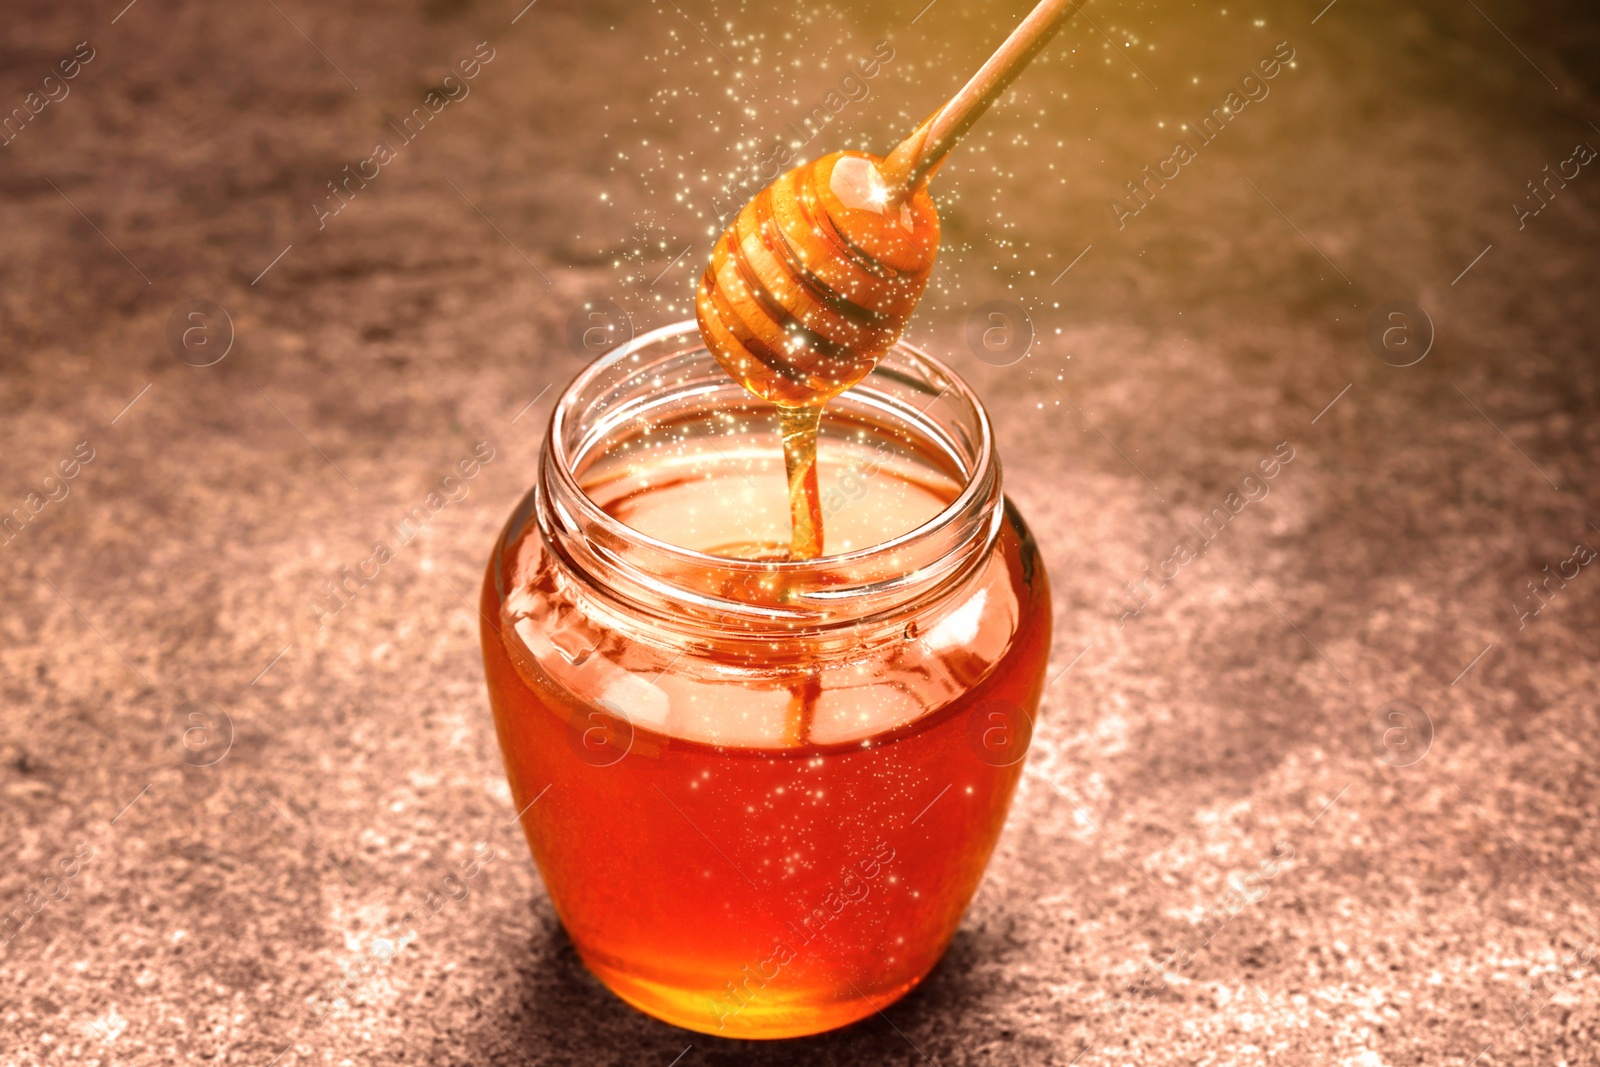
(908,390)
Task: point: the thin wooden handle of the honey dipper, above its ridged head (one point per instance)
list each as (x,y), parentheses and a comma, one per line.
(932,142)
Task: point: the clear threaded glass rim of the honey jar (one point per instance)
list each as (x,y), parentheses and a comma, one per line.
(951,535)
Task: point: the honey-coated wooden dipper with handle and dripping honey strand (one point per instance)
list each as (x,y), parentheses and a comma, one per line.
(820,273)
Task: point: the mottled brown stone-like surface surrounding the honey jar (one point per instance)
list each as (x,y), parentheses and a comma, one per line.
(1441,913)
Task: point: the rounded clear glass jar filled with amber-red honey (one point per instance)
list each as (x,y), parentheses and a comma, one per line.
(762,793)
